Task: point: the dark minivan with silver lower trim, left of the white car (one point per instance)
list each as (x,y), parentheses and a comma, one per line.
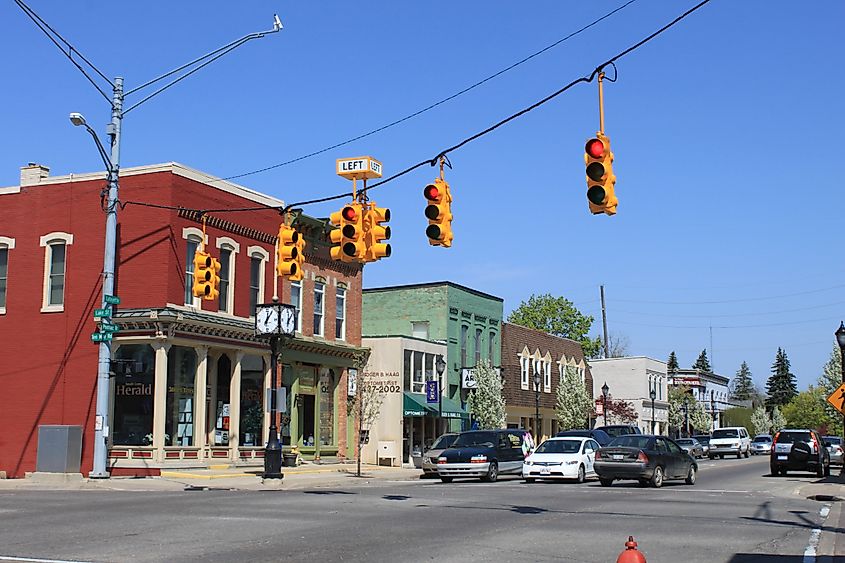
(485,454)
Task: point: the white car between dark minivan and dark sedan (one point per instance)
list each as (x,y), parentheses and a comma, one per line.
(568,457)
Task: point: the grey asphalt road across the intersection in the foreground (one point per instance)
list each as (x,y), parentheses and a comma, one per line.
(735,513)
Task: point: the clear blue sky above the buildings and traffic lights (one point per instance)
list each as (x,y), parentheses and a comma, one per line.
(727,132)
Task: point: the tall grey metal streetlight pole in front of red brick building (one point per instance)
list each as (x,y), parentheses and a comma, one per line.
(101,421)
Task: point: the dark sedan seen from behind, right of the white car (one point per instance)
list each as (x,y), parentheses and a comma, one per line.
(645,458)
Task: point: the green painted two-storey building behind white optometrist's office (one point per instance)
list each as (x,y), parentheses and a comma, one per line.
(468,321)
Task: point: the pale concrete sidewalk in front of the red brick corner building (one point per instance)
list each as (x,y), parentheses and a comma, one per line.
(221,477)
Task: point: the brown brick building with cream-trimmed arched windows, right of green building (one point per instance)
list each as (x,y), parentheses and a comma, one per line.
(522,349)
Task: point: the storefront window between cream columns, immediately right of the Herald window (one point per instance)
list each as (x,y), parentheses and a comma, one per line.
(181,374)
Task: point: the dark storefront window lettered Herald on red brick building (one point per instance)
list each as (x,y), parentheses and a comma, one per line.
(134,390)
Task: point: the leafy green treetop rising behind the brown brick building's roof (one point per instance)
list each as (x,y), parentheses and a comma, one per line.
(557,316)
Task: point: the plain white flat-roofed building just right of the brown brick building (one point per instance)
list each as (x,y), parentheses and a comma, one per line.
(632,379)
